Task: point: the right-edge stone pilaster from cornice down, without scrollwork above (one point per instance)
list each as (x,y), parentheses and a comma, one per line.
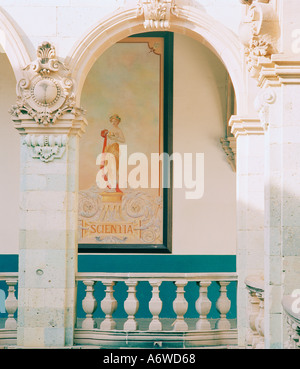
(280,82)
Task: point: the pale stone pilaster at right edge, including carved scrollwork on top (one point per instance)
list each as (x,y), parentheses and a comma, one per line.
(278,78)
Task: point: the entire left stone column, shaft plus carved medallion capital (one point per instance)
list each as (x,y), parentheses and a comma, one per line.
(50,126)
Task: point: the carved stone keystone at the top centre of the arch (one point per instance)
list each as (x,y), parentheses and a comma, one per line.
(157,13)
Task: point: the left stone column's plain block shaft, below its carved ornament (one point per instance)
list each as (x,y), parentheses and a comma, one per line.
(48,248)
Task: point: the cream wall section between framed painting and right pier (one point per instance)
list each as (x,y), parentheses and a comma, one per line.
(207,225)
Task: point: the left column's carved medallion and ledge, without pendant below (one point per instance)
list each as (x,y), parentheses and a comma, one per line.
(45,95)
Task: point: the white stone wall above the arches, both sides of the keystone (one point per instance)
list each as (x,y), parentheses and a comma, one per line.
(63,22)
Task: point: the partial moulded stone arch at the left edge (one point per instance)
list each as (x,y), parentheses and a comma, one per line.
(14,47)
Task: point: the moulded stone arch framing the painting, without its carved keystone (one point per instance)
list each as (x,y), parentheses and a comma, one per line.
(190,21)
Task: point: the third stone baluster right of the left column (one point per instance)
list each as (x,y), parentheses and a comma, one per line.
(131,306)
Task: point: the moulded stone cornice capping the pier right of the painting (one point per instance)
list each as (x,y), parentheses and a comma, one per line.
(245,126)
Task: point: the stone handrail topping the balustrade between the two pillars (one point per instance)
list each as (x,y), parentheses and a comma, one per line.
(191,277)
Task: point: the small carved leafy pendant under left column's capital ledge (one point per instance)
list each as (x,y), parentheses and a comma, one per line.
(46,147)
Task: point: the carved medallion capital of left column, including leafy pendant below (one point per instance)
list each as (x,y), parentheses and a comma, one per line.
(45,112)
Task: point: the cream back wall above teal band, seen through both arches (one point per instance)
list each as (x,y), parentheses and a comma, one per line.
(205,226)
